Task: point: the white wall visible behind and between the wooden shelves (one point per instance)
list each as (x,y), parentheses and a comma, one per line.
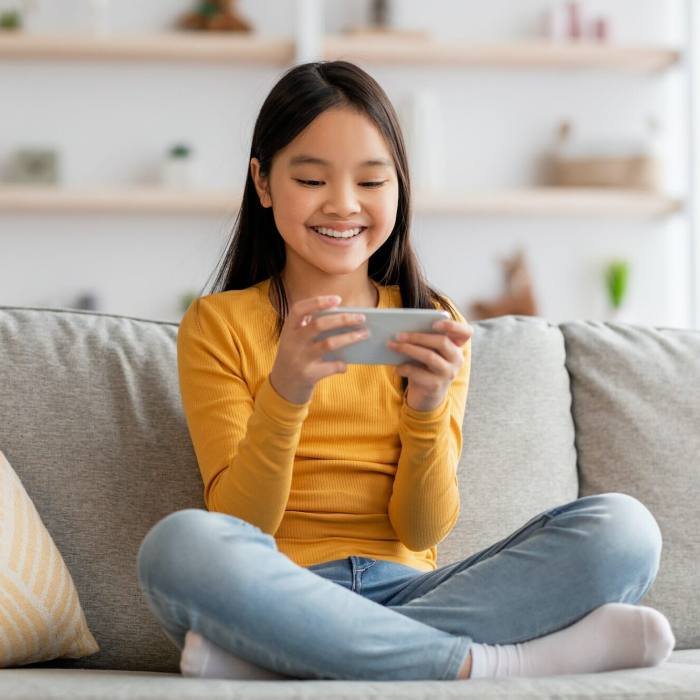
(112,121)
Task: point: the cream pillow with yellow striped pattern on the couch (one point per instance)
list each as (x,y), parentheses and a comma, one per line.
(40,614)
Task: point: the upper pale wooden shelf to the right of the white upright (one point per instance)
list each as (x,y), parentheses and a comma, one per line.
(524,54)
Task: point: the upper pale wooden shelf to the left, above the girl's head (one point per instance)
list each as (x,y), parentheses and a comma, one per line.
(167,46)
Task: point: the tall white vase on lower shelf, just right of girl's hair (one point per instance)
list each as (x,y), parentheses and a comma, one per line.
(421,123)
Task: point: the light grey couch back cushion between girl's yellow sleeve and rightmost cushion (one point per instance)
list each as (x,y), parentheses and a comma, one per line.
(518,456)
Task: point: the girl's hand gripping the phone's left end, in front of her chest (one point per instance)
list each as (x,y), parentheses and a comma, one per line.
(299,364)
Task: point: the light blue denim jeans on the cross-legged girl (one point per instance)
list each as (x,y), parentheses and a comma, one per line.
(359,618)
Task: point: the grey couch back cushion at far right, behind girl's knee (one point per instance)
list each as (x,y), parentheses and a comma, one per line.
(637,412)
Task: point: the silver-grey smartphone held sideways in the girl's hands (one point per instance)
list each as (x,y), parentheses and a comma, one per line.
(383,325)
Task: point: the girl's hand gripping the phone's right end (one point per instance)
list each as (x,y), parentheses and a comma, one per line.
(439,358)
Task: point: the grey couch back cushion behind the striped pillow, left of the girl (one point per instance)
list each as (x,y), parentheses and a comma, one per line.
(92,423)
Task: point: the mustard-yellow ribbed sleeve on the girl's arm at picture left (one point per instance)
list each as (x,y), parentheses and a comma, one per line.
(244,446)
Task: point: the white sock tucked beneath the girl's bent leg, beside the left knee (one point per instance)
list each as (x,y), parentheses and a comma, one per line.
(204,659)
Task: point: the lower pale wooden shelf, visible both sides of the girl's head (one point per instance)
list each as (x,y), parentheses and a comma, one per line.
(508,202)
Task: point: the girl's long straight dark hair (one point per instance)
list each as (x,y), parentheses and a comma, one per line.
(256,248)
